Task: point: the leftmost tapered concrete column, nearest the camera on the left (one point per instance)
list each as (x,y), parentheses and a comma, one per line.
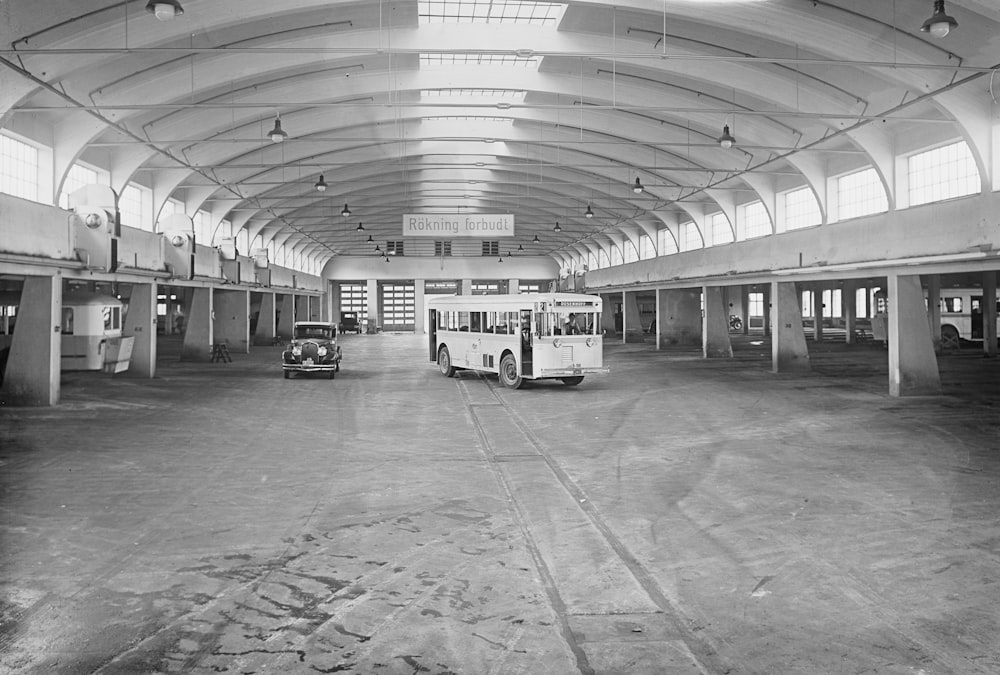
(34,361)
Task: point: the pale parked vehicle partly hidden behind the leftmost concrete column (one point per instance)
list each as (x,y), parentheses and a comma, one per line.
(91,323)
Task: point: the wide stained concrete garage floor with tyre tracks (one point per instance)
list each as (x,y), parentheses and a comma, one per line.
(678,516)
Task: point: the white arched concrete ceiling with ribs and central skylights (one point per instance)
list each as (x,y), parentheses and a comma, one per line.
(537,119)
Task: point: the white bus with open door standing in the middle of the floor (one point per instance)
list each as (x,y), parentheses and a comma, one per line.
(521,337)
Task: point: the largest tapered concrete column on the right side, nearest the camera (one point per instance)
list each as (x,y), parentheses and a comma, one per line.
(913,367)
